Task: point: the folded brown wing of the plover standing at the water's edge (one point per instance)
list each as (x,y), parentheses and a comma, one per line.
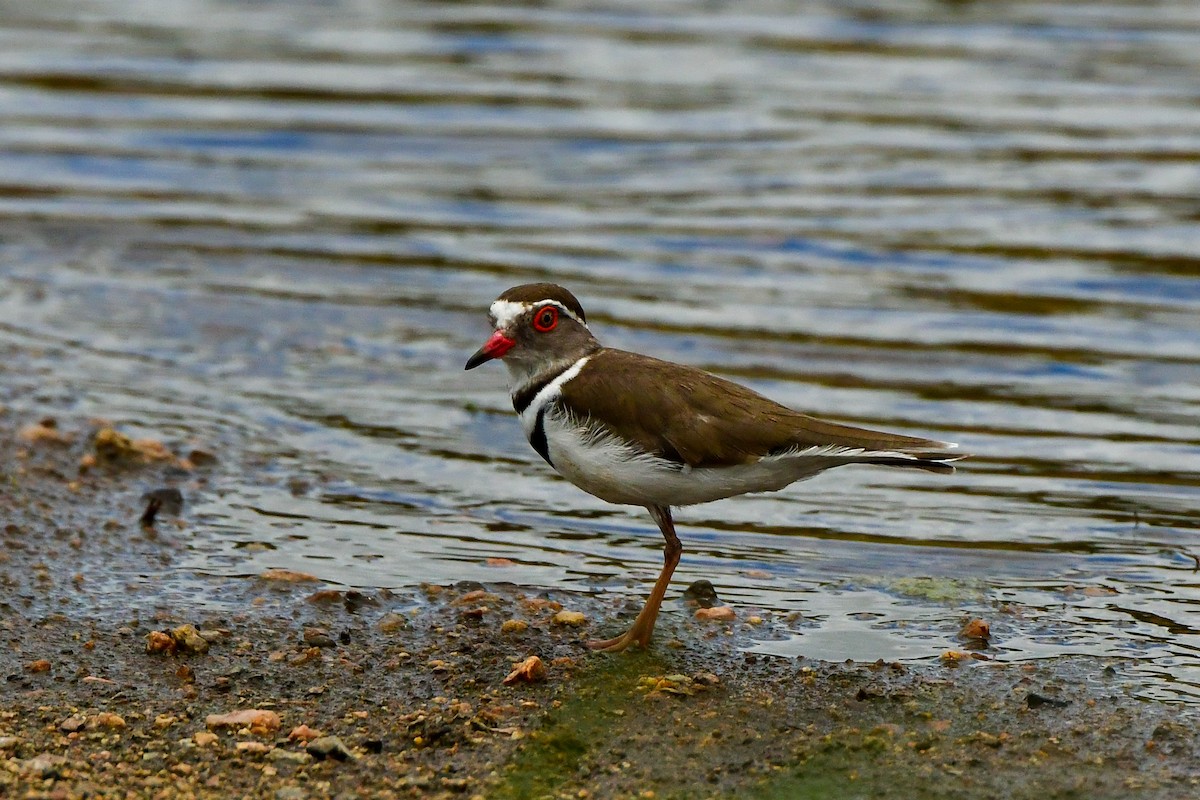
(688,416)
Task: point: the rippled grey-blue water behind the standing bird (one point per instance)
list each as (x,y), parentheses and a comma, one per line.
(277,227)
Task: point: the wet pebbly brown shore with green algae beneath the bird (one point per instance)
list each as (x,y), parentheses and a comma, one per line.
(117,685)
